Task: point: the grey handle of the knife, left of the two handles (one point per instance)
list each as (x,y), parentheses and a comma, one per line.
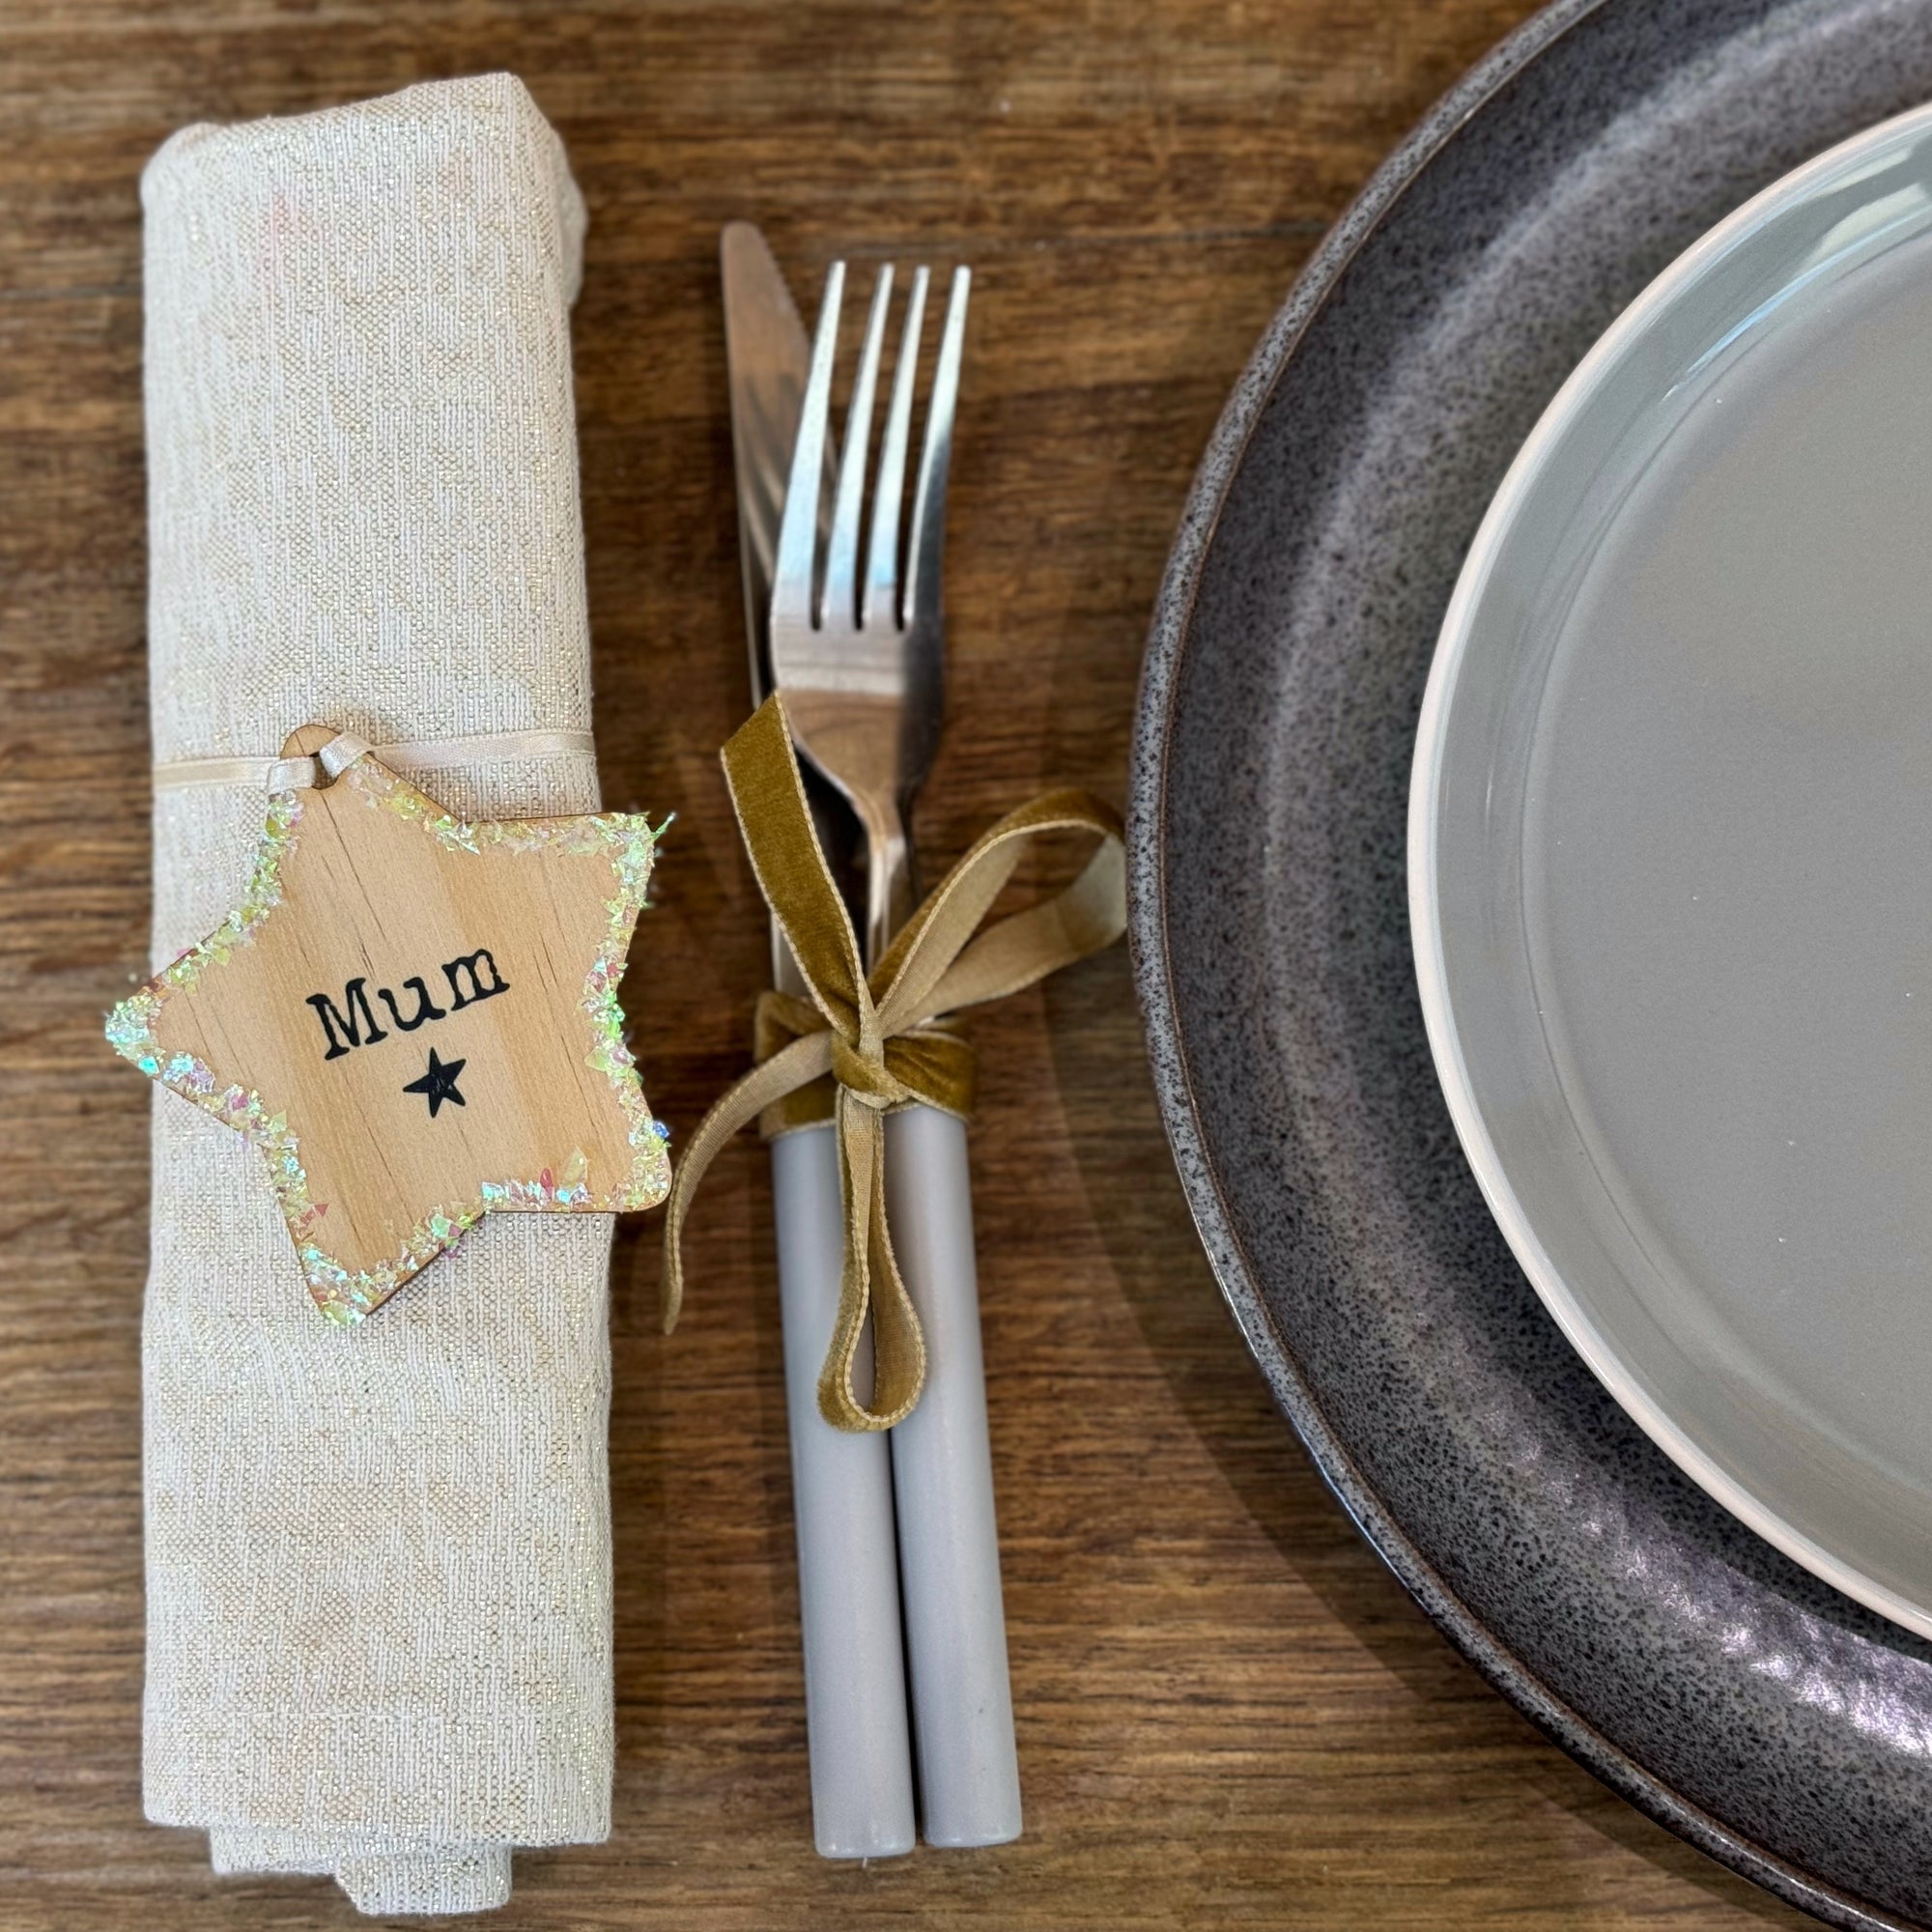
(847,1556)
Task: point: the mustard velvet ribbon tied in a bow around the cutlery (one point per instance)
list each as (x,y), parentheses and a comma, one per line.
(861,1046)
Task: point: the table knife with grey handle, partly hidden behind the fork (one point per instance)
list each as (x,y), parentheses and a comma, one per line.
(841,1485)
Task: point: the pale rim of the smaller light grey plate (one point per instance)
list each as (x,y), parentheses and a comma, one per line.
(1425,901)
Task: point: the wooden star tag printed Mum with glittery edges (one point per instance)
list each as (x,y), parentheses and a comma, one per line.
(416,1021)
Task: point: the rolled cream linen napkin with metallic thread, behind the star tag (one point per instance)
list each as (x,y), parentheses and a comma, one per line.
(378,1558)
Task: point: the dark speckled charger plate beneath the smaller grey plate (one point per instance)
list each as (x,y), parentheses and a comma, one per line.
(1701,1674)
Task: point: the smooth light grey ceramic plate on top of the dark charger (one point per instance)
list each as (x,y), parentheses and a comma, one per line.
(1670,861)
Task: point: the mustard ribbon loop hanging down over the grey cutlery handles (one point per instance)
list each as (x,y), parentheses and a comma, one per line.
(899,1346)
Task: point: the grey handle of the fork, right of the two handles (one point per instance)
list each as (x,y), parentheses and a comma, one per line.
(944,1487)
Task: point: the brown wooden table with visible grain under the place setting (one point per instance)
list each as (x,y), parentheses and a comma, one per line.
(1230,1715)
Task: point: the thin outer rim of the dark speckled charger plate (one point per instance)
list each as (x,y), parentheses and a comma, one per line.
(1147,878)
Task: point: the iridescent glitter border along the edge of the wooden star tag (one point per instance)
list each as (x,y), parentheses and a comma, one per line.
(347,1295)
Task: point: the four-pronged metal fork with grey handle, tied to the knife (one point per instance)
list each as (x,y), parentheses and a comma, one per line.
(859,654)
